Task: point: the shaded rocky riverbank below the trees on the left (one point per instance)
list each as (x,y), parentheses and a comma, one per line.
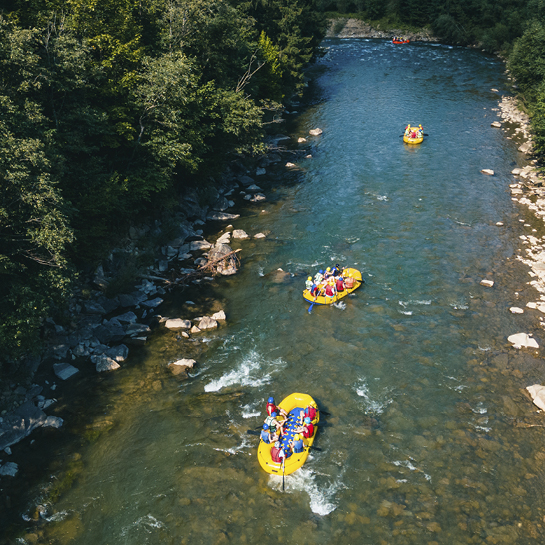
(100,332)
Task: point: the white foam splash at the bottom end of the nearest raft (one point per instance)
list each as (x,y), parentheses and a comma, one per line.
(304,480)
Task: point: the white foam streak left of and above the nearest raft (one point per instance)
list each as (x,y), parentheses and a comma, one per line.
(254,370)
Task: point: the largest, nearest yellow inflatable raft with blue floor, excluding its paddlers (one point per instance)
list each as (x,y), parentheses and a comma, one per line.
(293,405)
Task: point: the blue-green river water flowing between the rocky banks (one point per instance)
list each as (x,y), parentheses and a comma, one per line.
(430,438)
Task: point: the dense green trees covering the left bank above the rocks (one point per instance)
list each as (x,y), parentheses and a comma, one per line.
(109,108)
